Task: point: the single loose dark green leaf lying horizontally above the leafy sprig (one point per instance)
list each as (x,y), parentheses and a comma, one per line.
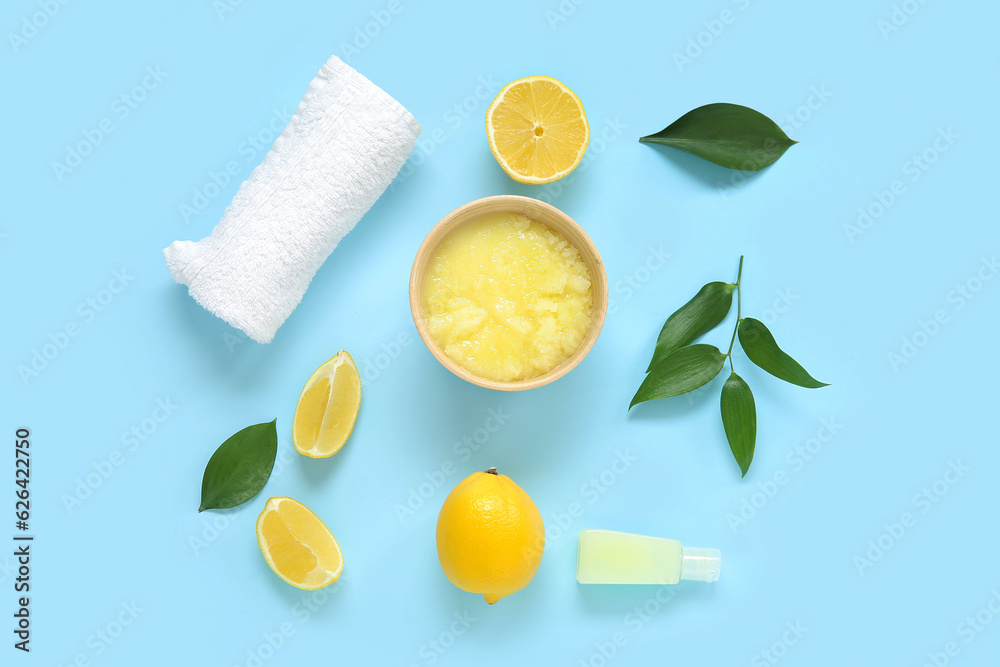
(729,135)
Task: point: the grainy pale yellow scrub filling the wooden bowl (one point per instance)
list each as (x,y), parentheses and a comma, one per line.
(507,298)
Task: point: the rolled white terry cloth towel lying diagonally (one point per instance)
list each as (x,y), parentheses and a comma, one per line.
(346,142)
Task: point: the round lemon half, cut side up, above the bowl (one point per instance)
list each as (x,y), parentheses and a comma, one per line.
(537,129)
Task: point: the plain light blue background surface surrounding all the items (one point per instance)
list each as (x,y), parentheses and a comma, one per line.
(838,300)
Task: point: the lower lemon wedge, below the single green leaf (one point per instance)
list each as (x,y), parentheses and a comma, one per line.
(297,545)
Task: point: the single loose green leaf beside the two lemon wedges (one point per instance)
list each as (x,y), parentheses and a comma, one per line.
(239,467)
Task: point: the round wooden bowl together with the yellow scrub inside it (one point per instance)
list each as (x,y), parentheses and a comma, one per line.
(508,292)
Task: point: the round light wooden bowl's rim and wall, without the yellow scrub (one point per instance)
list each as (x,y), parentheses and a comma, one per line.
(536,210)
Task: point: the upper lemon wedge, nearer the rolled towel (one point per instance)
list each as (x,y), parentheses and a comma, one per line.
(327,408)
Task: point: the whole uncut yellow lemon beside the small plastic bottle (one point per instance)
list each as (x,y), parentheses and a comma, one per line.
(490,536)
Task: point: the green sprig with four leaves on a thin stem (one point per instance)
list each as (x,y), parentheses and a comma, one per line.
(678,366)
